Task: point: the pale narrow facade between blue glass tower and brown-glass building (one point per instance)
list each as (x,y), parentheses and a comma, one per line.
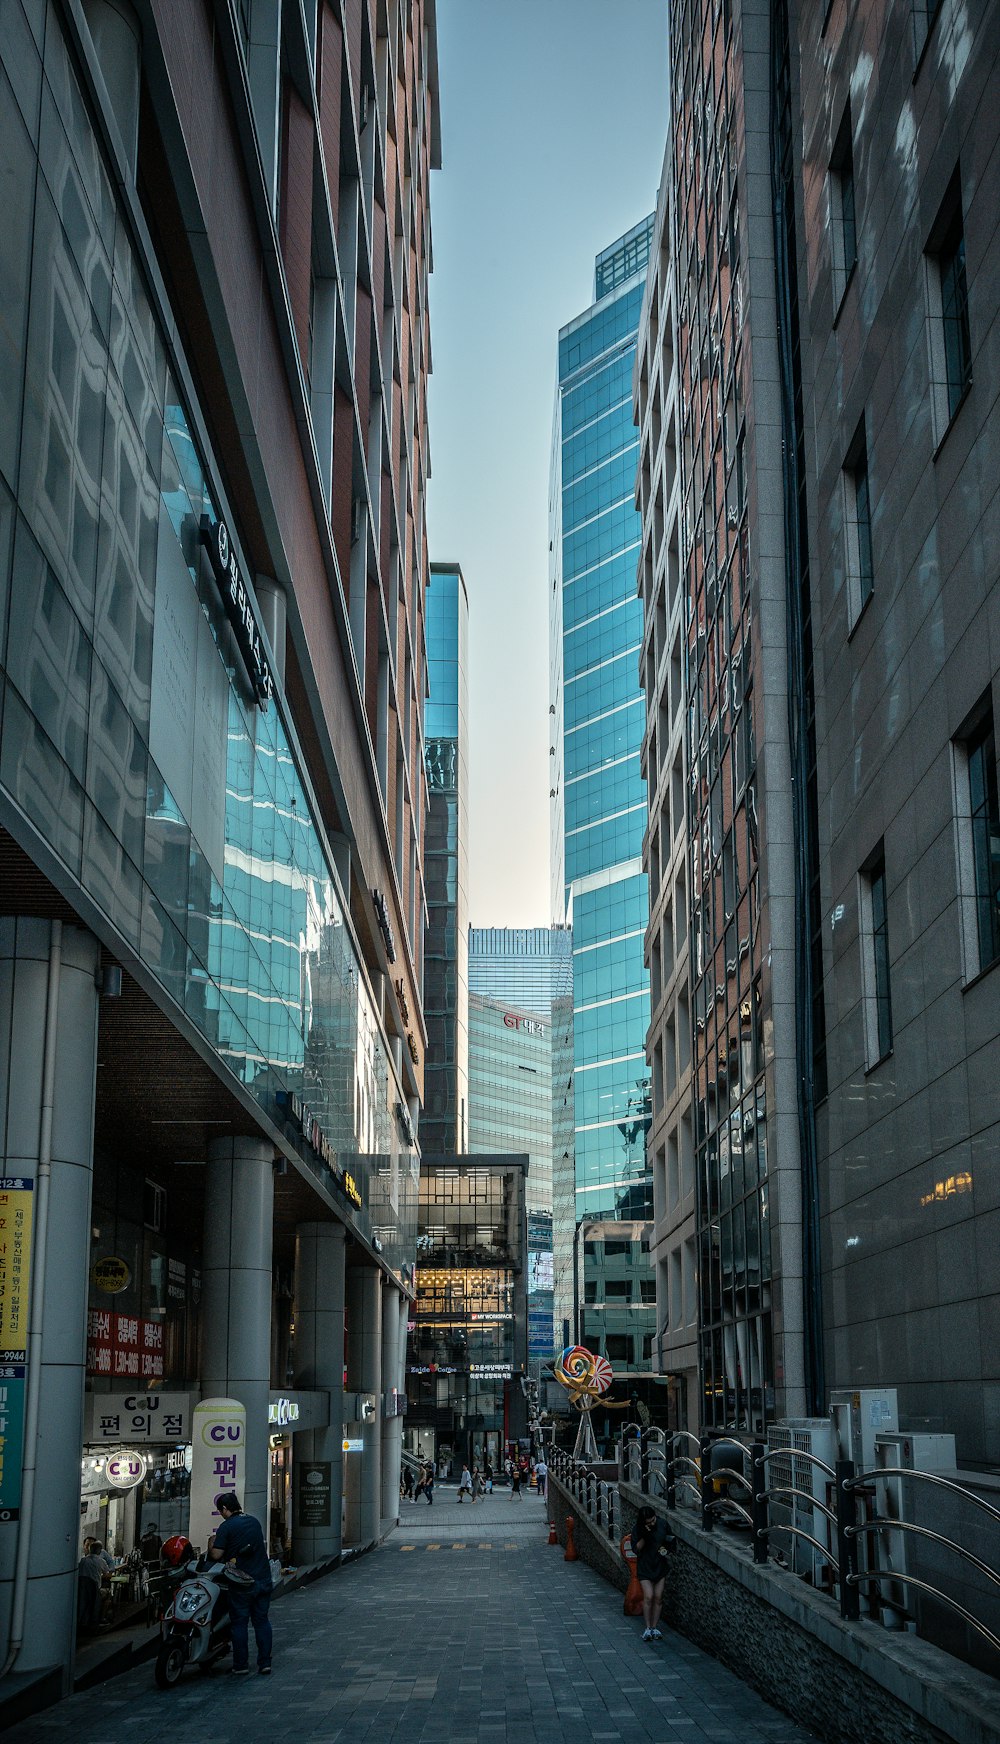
(666,847)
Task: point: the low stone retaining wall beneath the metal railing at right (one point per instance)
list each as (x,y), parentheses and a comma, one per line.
(851,1684)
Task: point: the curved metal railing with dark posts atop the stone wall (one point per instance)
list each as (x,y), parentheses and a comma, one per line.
(860,1530)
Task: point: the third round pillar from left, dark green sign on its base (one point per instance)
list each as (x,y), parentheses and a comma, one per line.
(320,1251)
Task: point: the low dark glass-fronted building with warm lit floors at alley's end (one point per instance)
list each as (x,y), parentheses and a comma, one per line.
(467,1352)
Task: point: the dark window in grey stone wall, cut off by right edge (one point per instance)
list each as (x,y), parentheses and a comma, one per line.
(978,810)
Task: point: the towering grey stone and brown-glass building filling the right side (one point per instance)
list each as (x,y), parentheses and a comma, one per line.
(837,311)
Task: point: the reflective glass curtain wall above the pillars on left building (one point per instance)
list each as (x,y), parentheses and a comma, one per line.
(134,751)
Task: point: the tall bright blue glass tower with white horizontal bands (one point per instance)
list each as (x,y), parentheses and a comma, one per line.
(598,787)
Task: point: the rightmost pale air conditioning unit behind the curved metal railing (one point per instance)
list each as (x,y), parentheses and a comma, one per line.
(894,1499)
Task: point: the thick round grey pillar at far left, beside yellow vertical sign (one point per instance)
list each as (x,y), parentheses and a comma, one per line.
(48,990)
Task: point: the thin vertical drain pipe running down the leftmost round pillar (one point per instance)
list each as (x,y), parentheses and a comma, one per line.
(34,1391)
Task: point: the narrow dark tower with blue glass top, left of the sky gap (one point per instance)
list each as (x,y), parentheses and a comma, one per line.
(446,1117)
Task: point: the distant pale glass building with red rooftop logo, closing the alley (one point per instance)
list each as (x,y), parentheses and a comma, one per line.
(521,990)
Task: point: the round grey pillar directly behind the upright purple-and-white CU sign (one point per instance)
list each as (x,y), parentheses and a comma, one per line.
(236,1297)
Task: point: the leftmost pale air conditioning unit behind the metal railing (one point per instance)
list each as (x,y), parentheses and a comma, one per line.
(804,1483)
